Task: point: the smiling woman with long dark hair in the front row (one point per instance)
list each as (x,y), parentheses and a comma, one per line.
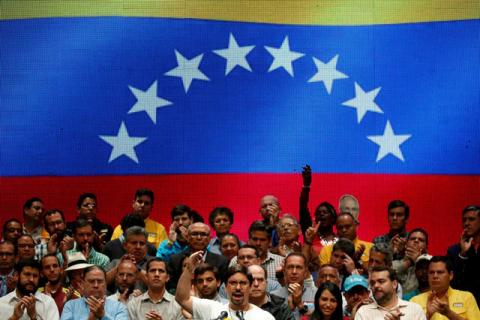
(328,303)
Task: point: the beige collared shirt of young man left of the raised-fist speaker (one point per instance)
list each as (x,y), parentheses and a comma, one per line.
(167,307)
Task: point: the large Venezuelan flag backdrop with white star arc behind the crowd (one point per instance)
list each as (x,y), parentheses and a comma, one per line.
(219,102)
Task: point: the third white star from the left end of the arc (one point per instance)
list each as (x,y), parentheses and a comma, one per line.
(187,70)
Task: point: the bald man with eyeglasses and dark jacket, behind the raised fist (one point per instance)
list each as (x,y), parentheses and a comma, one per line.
(198,240)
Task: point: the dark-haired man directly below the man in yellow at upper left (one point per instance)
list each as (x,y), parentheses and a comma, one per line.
(136,251)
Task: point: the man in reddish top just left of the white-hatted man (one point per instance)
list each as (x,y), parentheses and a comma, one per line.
(53,274)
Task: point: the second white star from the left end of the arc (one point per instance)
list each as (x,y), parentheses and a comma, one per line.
(148,101)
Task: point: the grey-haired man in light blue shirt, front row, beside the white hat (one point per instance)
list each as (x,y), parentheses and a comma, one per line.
(93,305)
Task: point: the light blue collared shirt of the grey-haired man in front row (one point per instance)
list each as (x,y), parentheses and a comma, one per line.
(78,310)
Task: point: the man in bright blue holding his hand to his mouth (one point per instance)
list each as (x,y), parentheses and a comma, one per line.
(178,234)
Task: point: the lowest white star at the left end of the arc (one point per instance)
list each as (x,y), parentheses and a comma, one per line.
(123,144)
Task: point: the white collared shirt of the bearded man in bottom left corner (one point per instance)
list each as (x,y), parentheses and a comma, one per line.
(44,305)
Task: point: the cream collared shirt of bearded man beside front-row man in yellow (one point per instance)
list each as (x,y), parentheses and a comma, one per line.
(373,311)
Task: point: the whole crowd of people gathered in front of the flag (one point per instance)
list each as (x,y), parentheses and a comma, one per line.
(313,267)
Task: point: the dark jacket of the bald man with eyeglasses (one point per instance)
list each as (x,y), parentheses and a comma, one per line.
(174,267)
